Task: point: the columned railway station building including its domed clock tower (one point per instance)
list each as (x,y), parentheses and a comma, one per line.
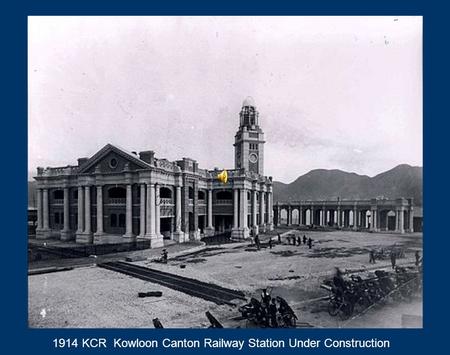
(120,196)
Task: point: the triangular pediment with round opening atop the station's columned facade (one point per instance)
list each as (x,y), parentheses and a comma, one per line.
(112,159)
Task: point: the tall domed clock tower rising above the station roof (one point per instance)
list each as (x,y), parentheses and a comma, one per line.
(249,140)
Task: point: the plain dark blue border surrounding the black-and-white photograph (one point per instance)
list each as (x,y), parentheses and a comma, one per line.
(17,338)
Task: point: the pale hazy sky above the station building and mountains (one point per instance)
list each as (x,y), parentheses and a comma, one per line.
(332,92)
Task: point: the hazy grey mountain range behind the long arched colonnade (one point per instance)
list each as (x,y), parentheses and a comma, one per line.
(402,181)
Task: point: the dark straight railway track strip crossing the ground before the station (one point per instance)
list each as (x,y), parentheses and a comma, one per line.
(206,291)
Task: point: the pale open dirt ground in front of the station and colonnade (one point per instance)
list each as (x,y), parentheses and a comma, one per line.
(95,297)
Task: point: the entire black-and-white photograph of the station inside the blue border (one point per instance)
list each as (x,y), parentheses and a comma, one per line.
(225,172)
